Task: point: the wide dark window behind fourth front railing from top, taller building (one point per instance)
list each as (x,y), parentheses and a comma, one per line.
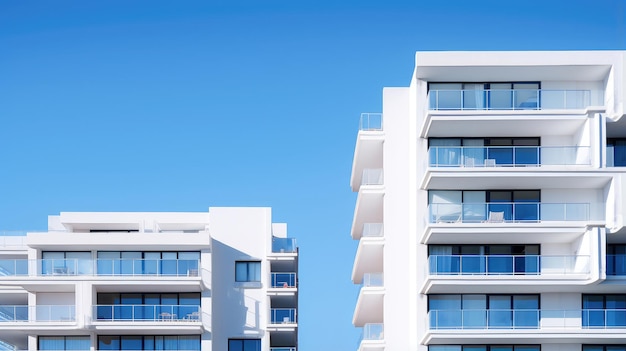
(486,259)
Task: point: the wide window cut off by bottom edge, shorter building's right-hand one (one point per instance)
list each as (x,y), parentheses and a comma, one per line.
(148,342)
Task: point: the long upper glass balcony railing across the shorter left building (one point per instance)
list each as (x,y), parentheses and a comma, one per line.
(99,267)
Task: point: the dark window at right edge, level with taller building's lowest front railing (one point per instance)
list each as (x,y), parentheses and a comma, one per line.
(602,311)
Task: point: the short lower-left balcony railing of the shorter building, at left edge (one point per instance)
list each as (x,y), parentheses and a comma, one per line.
(39,313)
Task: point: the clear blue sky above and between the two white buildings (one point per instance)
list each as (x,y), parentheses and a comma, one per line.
(124,105)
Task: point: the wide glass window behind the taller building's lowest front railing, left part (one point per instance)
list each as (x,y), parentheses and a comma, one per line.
(483,311)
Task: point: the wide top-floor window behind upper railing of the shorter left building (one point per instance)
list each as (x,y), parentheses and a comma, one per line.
(148,263)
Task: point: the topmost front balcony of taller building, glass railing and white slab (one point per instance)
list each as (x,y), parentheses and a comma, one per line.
(520,112)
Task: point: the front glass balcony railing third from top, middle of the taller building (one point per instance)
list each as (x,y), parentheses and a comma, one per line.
(508,212)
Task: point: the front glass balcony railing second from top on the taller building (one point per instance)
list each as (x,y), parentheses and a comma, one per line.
(508,156)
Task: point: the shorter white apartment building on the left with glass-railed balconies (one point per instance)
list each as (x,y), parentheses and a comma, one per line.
(222,280)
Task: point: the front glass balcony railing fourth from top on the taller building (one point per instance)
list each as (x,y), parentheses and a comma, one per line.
(507,265)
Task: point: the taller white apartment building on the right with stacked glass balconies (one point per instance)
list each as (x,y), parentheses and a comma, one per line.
(491,205)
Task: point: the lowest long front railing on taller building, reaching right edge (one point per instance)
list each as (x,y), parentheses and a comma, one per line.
(527,319)
